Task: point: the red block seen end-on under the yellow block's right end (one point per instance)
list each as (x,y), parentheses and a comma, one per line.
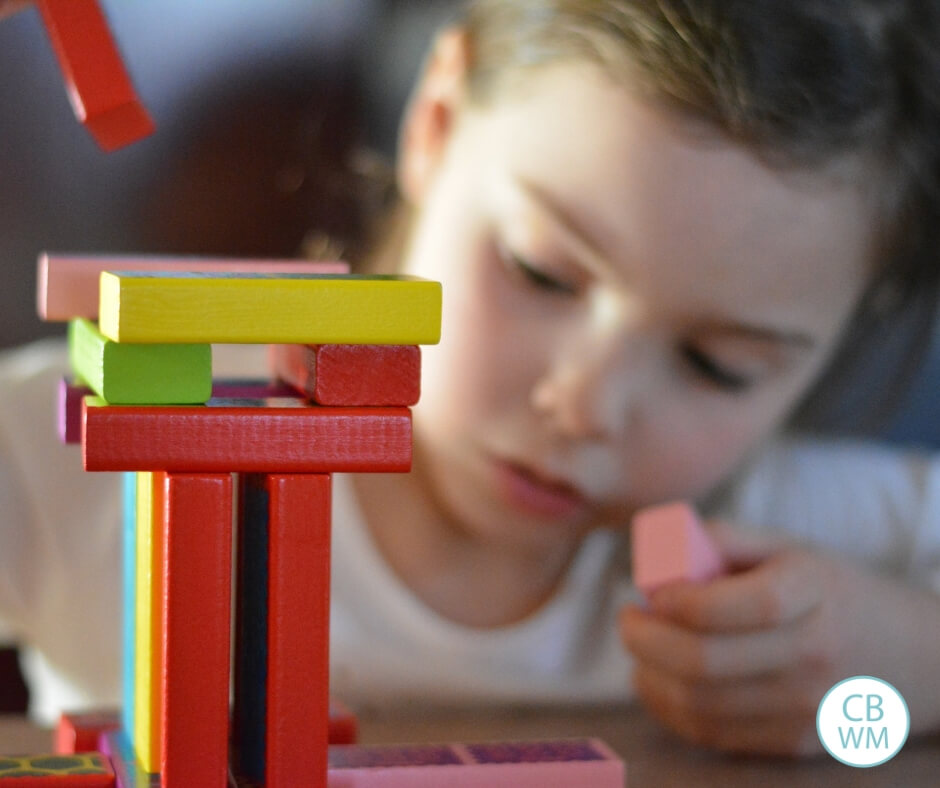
(352,375)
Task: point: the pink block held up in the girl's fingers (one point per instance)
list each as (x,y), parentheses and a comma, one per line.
(670,544)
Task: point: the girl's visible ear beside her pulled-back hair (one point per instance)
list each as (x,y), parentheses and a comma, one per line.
(429,116)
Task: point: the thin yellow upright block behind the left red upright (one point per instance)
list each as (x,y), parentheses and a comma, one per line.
(148,629)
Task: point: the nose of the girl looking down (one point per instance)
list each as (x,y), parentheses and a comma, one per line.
(590,388)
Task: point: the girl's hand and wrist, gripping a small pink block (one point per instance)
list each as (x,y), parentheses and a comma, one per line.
(741,663)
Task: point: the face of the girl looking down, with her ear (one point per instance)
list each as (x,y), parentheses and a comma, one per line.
(629,305)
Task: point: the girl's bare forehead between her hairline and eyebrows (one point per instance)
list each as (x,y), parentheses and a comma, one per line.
(657,195)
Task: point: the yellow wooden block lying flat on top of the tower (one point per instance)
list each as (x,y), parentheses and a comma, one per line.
(301,308)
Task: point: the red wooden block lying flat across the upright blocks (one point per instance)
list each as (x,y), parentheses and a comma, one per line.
(264,436)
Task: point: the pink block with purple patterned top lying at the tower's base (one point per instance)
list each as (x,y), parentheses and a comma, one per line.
(559,764)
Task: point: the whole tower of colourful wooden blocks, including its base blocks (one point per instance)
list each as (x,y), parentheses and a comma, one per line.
(343,350)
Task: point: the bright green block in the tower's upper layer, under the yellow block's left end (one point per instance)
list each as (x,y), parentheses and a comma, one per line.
(131,374)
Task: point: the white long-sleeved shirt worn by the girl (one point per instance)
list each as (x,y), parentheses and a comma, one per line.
(60,566)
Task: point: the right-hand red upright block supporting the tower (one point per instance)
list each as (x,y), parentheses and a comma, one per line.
(298,630)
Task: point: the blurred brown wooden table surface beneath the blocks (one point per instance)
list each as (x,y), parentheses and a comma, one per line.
(653,756)
